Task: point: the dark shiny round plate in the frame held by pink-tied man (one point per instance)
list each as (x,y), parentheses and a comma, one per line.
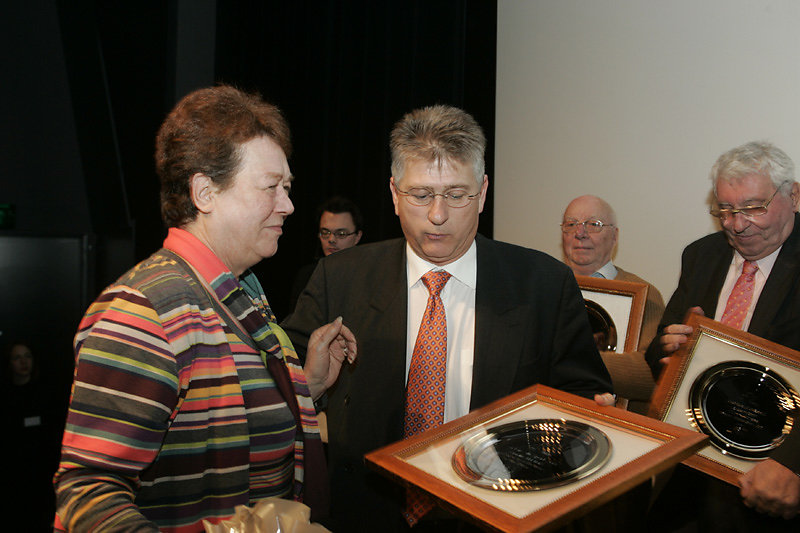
(745,408)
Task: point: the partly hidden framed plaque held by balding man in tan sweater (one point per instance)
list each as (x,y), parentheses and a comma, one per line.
(616,311)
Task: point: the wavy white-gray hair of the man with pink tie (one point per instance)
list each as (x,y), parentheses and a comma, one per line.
(757,157)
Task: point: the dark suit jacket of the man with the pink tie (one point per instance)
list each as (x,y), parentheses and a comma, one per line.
(776,316)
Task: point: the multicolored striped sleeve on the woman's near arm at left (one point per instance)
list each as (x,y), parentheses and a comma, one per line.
(125,390)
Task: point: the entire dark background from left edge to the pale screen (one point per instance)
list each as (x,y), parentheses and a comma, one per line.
(87,83)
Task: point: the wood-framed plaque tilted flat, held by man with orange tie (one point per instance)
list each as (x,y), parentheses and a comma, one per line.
(535,460)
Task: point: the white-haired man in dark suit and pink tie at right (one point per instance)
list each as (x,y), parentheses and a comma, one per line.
(756,203)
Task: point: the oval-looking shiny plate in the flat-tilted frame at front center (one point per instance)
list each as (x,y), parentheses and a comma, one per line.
(532,455)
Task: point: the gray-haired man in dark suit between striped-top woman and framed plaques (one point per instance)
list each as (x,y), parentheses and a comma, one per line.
(515,317)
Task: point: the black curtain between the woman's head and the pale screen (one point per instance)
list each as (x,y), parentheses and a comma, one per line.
(344,73)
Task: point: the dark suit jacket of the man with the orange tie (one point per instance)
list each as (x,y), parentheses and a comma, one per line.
(530,327)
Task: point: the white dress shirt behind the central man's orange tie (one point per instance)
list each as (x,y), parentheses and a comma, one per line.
(458,297)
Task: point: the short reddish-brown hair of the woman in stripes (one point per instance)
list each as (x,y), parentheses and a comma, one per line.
(204,134)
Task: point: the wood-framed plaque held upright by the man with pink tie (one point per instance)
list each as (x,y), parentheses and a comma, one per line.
(738,389)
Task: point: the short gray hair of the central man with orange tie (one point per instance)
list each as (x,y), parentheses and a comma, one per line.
(439,135)
